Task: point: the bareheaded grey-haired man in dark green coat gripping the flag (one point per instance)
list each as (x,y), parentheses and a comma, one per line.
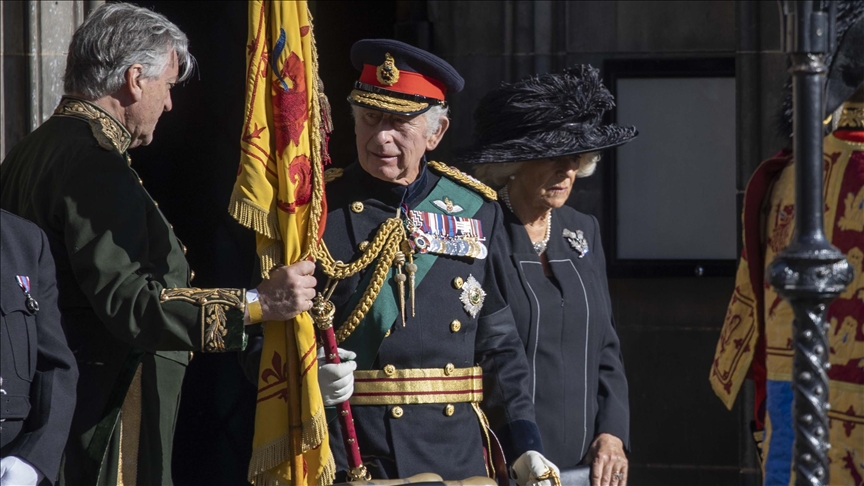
(129,313)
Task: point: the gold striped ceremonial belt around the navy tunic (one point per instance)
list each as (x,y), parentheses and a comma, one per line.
(408,387)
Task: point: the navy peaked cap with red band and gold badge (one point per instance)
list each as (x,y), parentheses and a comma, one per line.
(399,78)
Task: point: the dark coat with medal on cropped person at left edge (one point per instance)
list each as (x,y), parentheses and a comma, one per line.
(37,367)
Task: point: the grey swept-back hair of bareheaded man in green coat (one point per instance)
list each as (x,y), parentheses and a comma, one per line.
(113,38)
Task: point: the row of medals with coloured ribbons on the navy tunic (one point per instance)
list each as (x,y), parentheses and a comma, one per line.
(446,235)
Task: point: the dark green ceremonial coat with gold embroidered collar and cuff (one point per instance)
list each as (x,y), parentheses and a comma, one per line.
(124,294)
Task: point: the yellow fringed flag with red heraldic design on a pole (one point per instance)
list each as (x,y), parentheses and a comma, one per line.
(279,194)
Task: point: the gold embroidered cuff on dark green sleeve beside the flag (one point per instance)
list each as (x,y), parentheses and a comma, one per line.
(222,311)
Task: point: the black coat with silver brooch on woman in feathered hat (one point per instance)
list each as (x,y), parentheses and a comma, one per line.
(577,377)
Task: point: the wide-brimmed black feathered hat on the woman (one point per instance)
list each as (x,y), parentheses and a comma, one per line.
(545,116)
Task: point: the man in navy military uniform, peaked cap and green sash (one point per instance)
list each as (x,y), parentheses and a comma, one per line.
(434,339)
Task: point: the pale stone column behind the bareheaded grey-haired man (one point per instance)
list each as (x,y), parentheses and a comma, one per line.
(34,38)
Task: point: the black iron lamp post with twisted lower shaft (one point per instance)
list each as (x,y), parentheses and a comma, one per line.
(810,272)
